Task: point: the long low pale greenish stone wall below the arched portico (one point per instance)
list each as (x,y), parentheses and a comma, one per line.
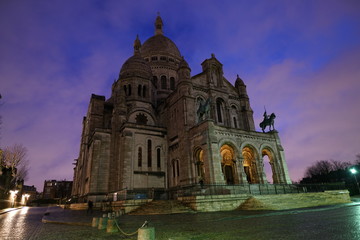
(265,202)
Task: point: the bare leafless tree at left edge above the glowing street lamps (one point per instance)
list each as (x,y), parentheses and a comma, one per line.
(15,157)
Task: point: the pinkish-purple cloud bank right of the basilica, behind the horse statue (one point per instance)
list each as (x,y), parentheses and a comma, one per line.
(317,110)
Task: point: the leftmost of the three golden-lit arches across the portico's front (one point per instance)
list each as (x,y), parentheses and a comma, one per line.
(228,163)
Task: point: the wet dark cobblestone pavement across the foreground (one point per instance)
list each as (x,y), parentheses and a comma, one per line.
(331,223)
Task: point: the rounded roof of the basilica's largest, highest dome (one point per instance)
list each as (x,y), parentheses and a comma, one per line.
(159,44)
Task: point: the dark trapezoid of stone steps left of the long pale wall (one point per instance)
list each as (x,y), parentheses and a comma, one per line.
(156,207)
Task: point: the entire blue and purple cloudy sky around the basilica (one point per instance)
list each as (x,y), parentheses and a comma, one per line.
(300,58)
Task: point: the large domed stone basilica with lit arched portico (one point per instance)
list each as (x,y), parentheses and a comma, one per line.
(165,128)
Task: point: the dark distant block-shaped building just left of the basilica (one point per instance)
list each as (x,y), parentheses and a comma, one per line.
(57,189)
